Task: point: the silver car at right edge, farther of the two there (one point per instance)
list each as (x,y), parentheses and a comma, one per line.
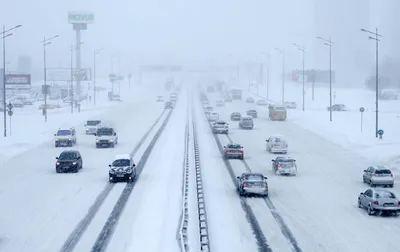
(378,175)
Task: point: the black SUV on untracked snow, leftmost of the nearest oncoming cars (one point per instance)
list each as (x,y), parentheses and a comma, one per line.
(69,161)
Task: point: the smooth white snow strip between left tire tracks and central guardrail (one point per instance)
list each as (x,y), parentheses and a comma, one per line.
(150,219)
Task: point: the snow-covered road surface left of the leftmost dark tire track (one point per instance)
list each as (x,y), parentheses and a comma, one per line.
(39,199)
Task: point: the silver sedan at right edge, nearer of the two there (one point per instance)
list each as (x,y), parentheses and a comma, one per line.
(379,201)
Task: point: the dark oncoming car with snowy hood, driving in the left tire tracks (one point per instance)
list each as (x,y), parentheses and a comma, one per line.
(123,168)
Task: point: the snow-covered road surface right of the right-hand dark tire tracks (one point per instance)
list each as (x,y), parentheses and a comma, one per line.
(324,194)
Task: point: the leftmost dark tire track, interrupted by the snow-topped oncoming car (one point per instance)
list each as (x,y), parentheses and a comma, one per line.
(75,236)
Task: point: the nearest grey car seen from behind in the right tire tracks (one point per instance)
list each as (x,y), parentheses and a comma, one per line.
(252,183)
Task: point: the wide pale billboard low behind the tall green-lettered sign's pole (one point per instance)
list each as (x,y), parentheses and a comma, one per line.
(64,74)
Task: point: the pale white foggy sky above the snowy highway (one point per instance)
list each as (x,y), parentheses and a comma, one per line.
(188,31)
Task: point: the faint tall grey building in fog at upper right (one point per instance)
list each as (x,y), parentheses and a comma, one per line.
(352,53)
